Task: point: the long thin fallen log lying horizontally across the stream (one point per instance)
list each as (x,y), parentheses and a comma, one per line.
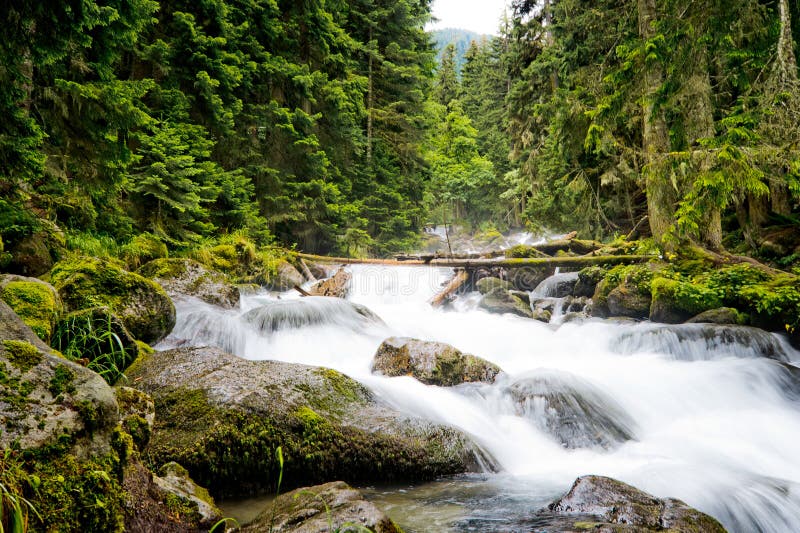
(536,262)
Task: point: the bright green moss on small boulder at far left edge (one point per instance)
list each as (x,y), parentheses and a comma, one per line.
(34,303)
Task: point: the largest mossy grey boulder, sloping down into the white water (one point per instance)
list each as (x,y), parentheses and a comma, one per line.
(223,417)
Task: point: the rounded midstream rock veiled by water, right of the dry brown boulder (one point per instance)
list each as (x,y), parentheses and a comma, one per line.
(572,410)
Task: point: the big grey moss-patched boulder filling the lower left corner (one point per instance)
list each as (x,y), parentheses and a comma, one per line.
(64,449)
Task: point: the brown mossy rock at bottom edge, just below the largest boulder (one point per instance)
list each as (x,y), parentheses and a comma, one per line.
(333,506)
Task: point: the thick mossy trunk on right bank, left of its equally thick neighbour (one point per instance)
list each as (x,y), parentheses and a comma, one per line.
(655,141)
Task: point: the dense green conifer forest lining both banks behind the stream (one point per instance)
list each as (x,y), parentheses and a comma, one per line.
(330,125)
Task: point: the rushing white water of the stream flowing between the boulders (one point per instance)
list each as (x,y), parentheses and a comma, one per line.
(714,412)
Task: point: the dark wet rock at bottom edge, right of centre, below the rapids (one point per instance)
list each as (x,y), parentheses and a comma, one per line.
(618,507)
